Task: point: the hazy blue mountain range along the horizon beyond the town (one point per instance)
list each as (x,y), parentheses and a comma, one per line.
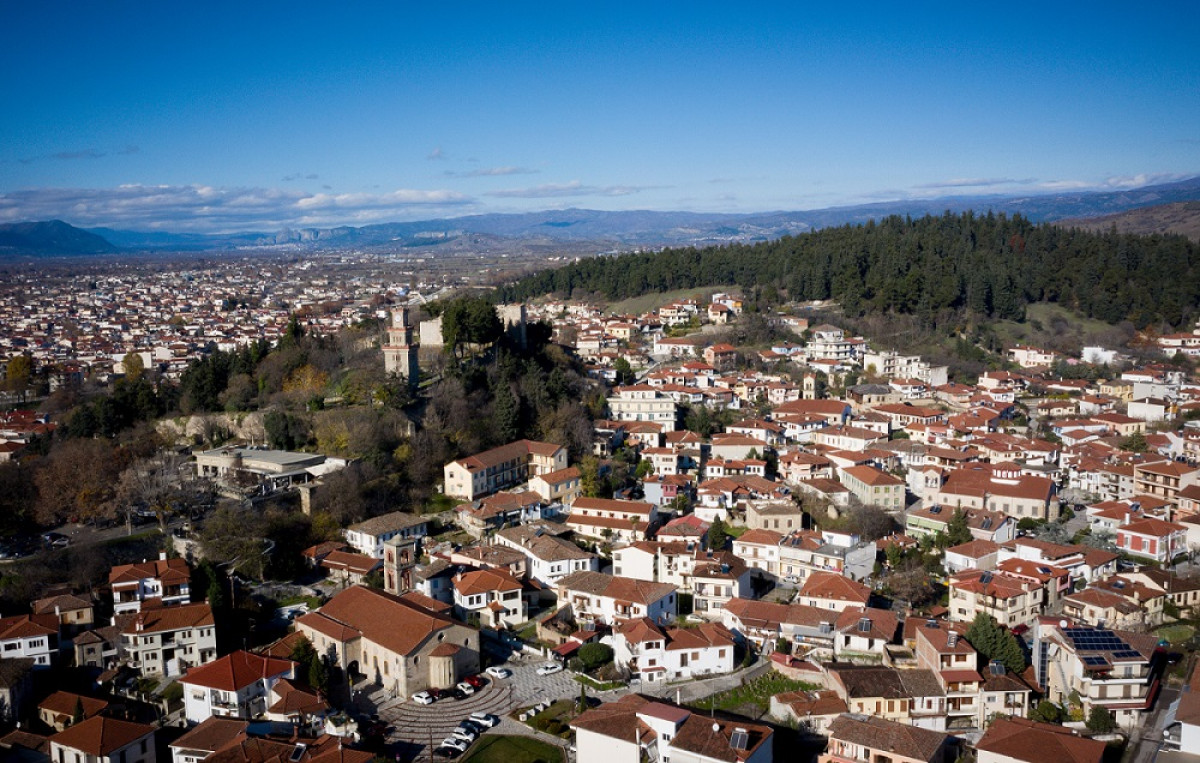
(581,231)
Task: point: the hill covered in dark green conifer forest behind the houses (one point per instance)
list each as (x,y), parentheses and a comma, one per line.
(992,266)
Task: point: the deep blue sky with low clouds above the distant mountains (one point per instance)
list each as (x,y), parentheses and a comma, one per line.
(257,116)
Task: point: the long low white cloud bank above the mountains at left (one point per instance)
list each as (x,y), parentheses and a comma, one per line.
(218,209)
